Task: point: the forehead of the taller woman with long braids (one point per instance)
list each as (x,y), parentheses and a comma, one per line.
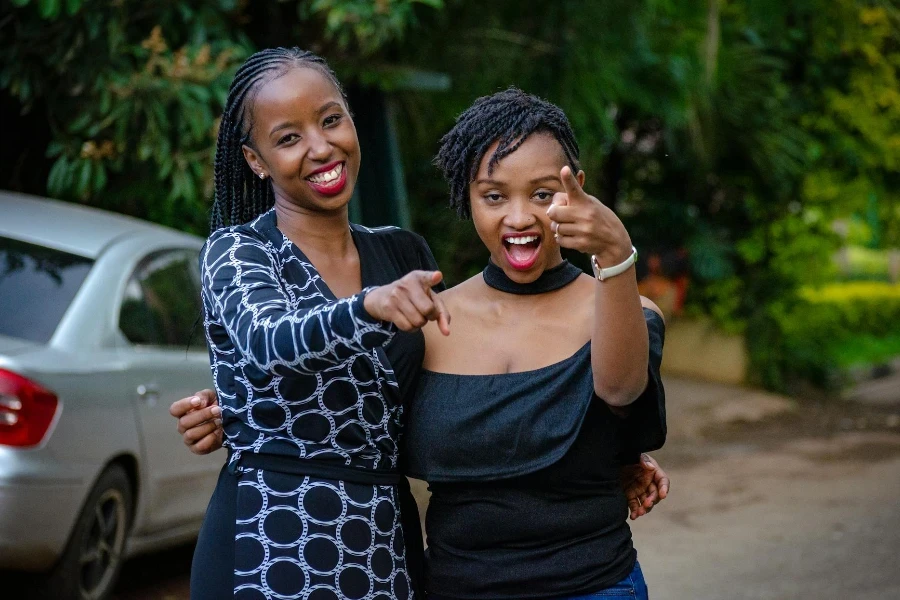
(301,89)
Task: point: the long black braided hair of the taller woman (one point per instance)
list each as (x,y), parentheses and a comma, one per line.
(240,196)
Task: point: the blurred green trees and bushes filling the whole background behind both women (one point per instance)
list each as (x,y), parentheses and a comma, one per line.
(752,147)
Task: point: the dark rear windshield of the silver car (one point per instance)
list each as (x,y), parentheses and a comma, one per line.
(37,285)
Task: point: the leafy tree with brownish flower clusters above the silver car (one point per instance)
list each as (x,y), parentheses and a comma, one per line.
(133,90)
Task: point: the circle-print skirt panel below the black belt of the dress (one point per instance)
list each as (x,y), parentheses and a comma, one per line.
(310,539)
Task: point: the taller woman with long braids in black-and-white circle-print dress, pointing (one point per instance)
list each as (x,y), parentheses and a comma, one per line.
(313,330)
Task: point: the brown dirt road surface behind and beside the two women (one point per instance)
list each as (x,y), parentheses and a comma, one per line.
(771,498)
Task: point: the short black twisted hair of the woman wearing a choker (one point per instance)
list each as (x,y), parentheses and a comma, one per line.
(509,116)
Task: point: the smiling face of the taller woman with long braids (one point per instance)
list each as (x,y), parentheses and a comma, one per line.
(304,139)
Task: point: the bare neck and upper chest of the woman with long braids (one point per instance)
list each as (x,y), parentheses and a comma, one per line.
(316,232)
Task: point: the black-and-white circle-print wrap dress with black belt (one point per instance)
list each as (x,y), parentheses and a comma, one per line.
(312,391)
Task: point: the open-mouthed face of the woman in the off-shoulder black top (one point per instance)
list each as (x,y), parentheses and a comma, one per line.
(509,206)
